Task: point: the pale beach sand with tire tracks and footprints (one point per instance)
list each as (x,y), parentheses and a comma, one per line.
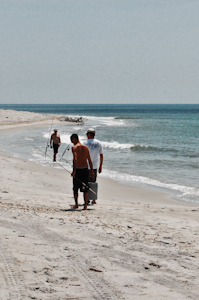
(134,244)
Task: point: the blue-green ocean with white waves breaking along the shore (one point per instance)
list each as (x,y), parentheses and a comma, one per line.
(149,146)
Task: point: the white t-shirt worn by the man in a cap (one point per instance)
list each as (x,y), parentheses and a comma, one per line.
(95,149)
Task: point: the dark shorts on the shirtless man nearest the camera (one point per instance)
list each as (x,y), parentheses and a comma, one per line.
(82,175)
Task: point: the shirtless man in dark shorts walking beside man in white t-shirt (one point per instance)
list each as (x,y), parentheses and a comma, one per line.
(81,158)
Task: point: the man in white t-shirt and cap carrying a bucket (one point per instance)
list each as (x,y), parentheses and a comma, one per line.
(96,153)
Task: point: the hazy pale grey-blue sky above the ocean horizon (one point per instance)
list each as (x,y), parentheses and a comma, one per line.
(99,51)
